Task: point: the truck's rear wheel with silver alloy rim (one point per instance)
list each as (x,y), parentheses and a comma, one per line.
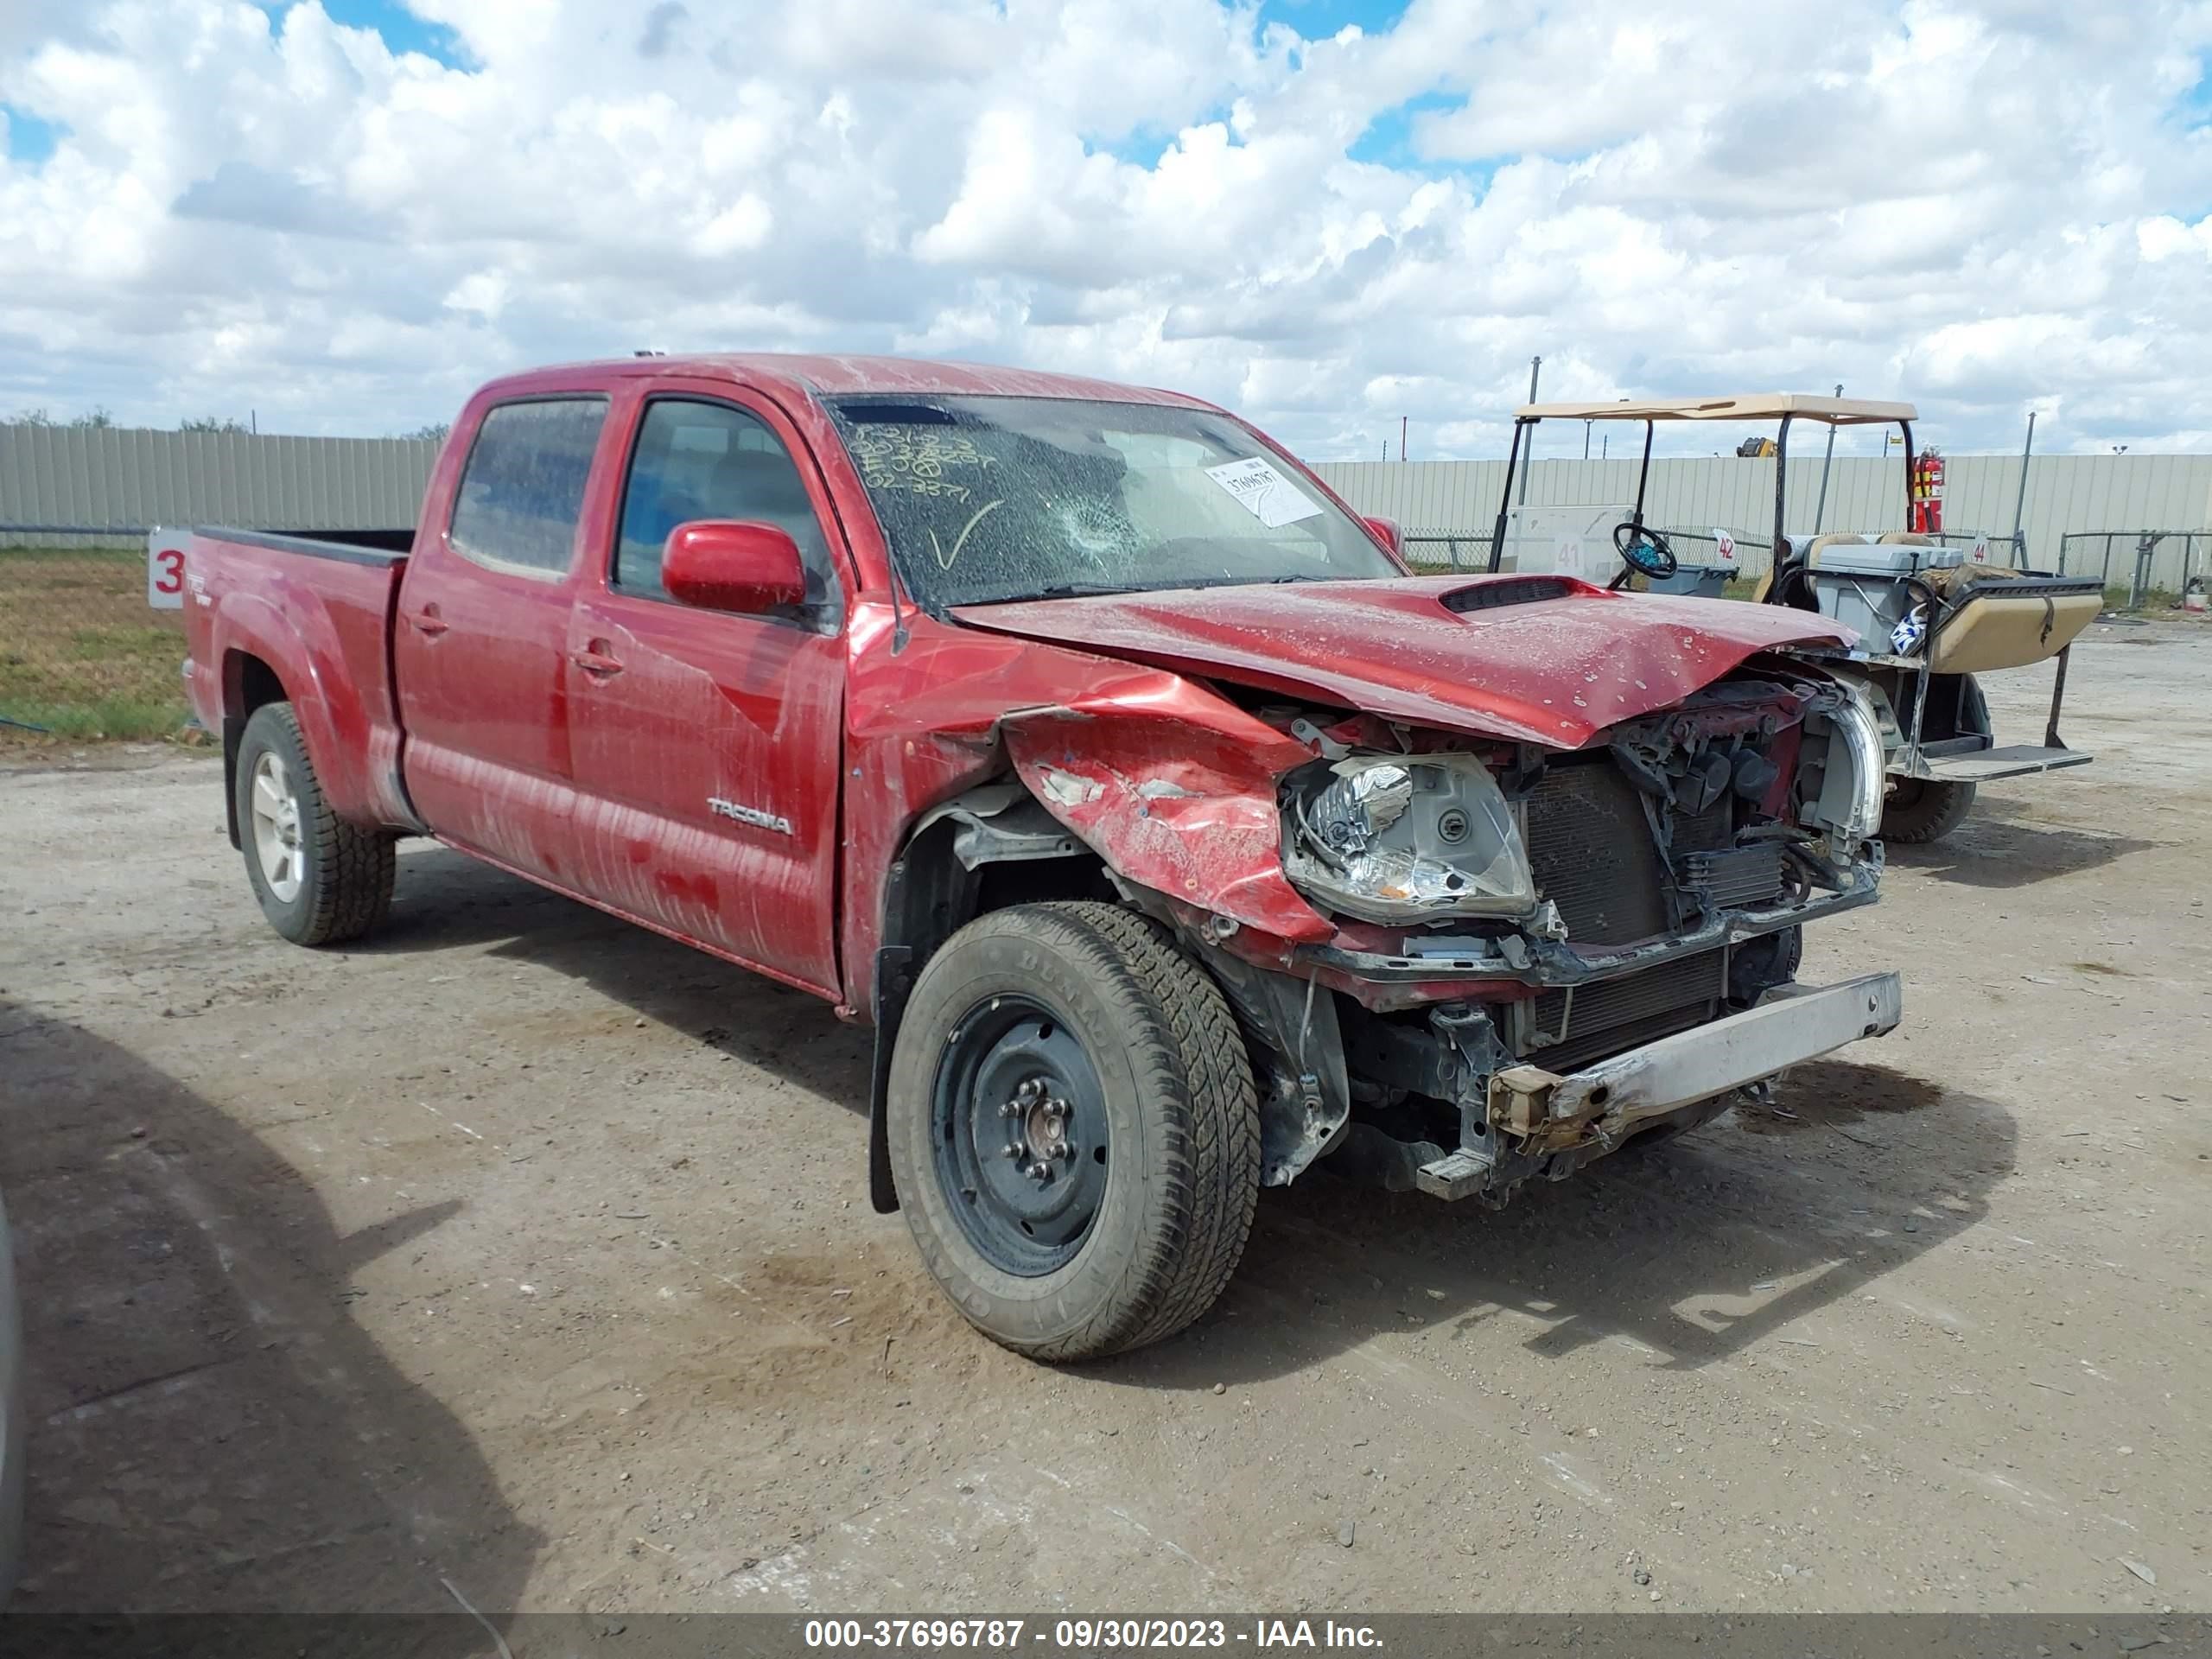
(317,877)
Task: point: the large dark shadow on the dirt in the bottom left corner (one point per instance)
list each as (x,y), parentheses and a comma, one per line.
(209,1428)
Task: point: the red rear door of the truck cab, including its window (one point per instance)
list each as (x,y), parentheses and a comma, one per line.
(481,640)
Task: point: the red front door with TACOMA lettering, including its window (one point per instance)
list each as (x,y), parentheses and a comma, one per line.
(709,744)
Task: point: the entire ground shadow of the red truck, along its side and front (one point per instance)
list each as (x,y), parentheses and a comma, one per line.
(1693,1249)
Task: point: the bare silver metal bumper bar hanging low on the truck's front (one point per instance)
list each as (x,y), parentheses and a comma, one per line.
(1598,1107)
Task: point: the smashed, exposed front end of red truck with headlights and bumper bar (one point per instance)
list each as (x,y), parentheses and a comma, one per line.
(1527,957)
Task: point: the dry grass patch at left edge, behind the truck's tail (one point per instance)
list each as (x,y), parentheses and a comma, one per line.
(81,651)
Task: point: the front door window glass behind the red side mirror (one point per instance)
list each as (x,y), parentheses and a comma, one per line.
(709,461)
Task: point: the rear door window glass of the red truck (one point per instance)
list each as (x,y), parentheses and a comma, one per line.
(523,488)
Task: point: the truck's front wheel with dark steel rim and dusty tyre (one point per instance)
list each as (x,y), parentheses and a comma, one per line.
(1074,1131)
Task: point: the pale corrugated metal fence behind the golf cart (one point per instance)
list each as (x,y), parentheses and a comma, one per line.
(2067,494)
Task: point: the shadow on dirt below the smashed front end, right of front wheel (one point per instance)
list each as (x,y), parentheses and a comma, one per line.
(1691,1249)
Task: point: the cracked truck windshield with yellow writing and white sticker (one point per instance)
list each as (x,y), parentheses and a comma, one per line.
(1025,499)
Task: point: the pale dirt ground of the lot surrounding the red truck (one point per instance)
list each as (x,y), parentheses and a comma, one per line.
(528,1251)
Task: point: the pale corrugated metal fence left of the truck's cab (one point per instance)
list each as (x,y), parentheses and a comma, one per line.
(121,483)
